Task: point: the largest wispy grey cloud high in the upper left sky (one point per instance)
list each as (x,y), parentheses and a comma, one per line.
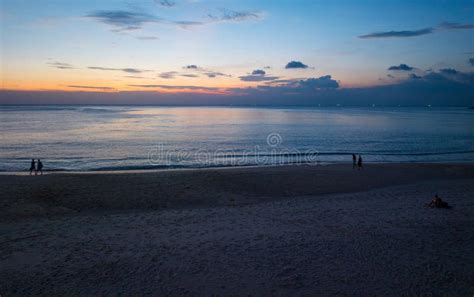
(123,20)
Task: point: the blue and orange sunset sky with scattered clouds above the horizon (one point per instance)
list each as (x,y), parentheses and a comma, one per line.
(237,52)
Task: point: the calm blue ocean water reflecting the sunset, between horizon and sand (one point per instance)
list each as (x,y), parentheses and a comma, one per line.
(136,137)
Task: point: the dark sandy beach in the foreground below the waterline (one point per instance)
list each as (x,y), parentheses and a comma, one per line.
(259,231)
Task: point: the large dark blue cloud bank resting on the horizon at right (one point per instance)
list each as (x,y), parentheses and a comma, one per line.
(433,88)
